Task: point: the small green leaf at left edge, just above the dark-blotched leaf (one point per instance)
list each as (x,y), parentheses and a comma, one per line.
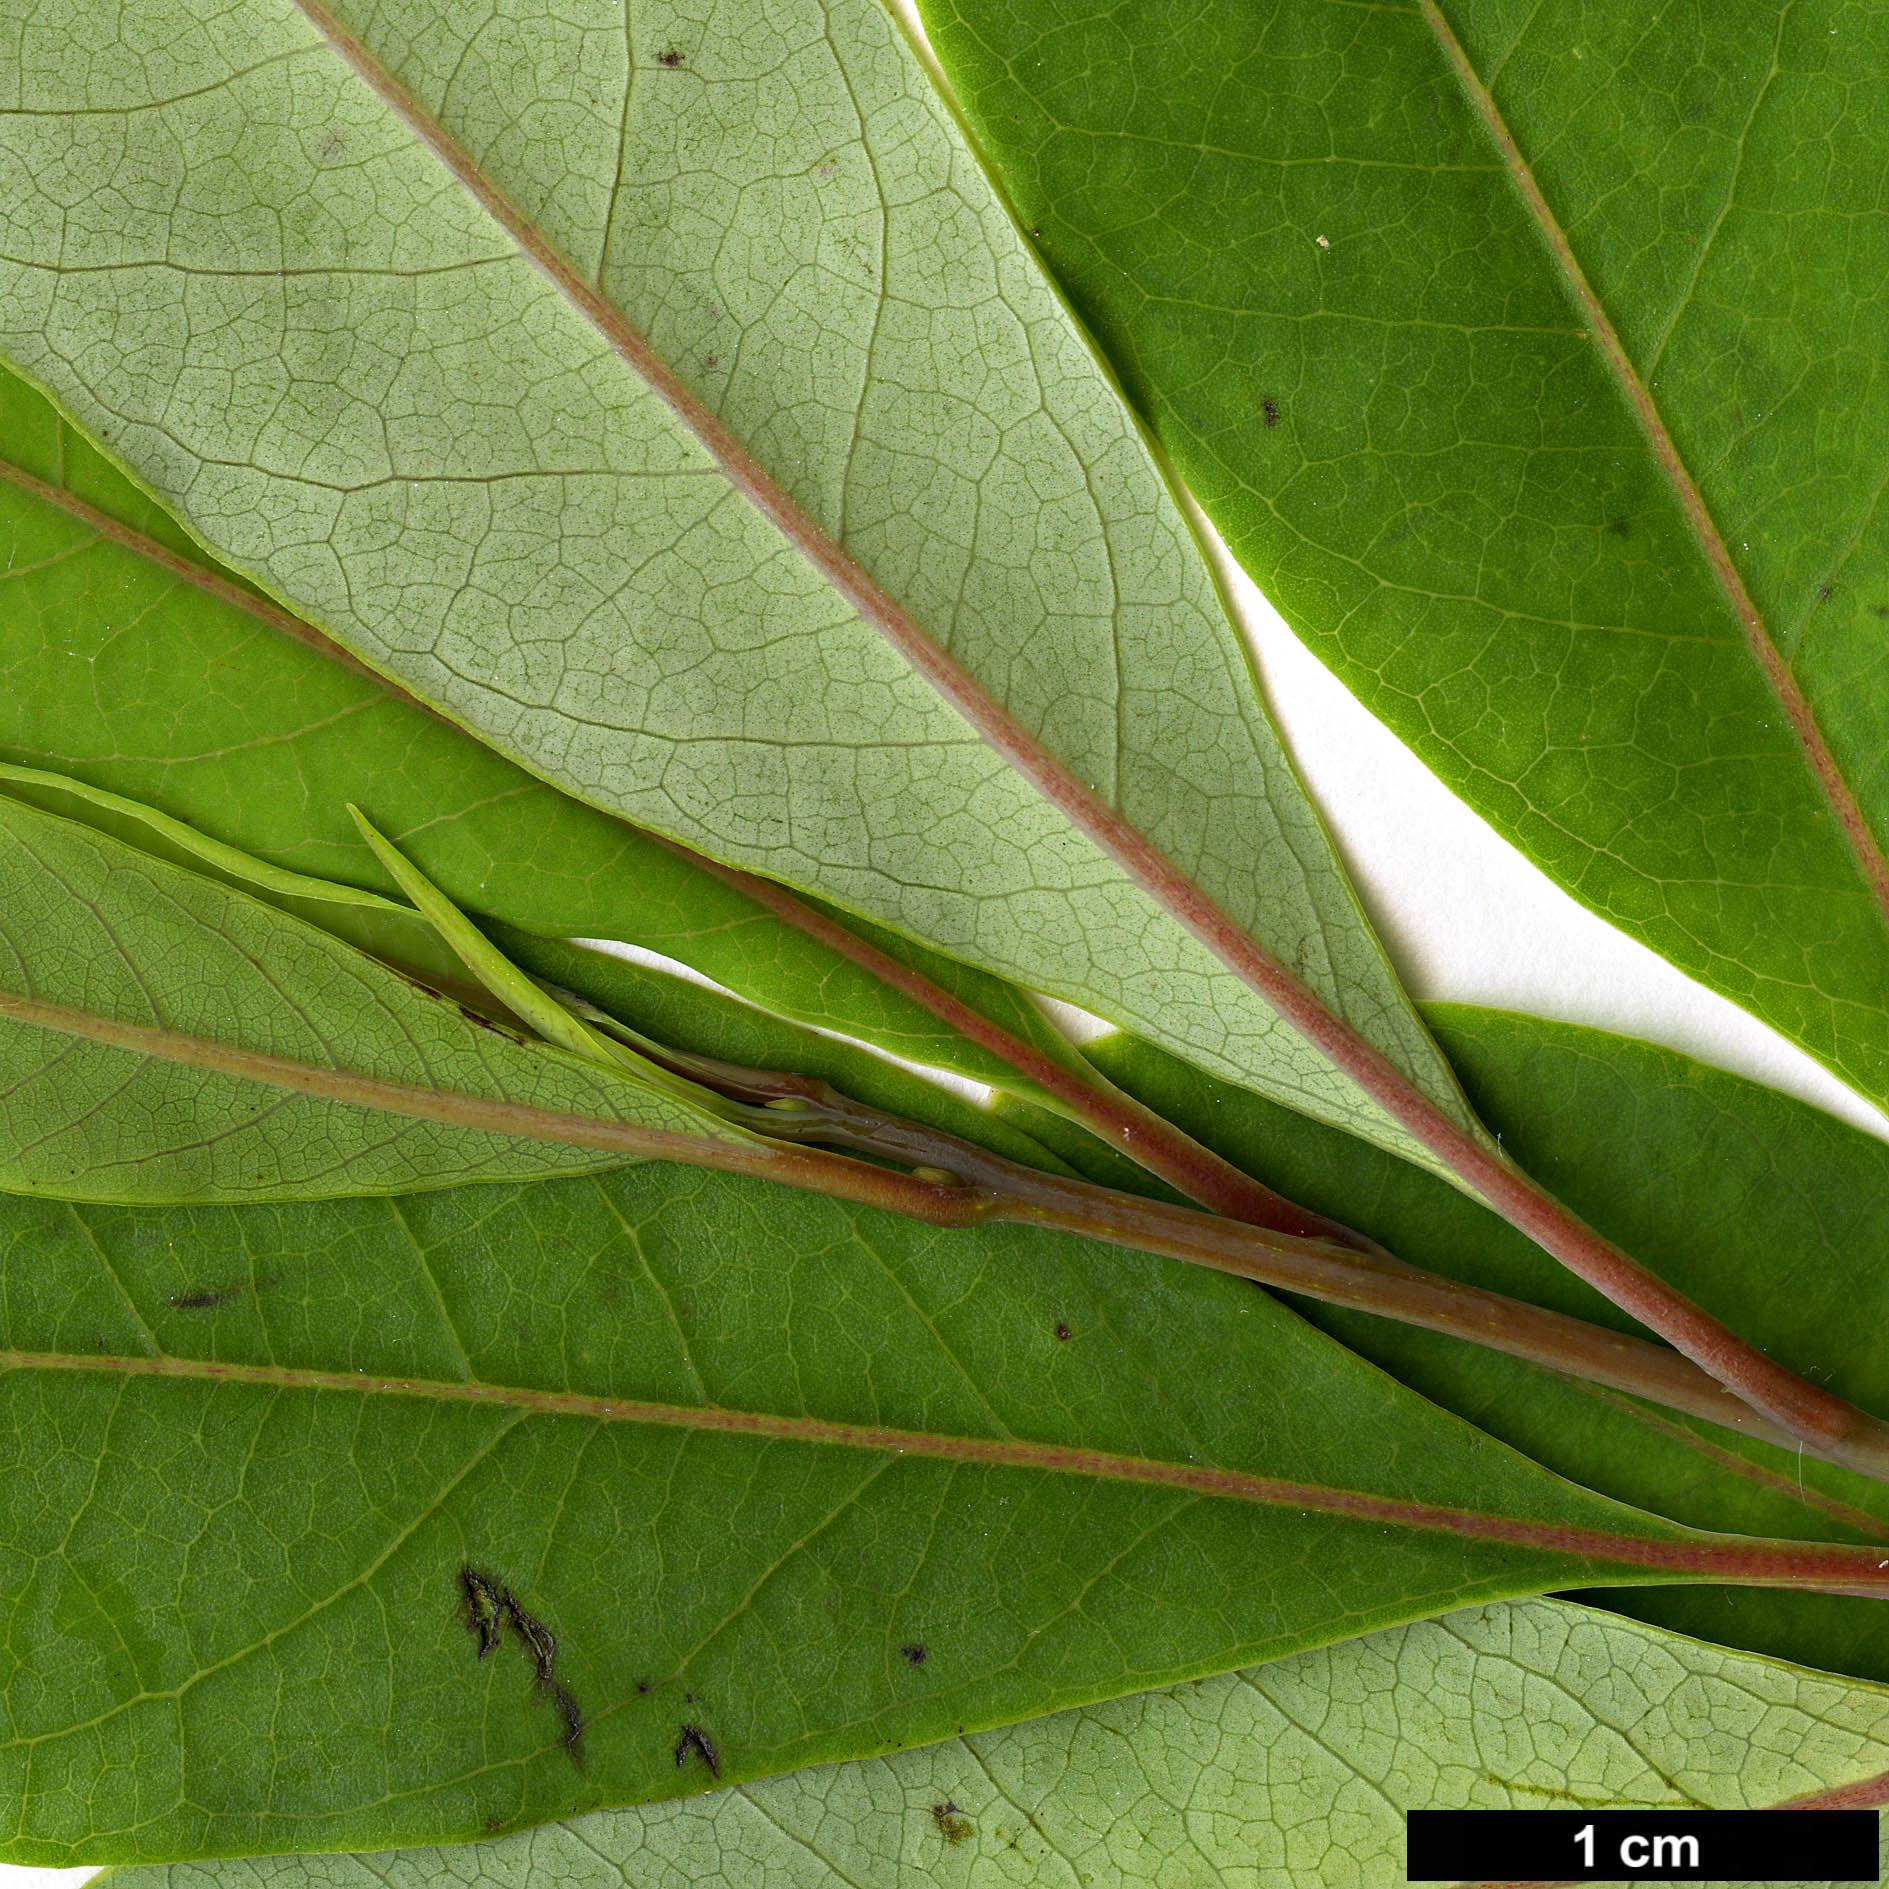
(107,934)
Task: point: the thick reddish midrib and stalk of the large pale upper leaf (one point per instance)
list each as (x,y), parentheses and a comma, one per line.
(1799,1406)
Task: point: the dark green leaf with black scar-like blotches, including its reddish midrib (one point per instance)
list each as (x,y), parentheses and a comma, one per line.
(728,1442)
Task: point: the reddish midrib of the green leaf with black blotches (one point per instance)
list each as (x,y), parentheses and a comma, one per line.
(1754,1561)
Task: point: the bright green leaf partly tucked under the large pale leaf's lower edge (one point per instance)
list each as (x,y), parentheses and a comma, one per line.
(126,672)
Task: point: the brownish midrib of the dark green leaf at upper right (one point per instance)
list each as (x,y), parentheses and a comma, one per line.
(1667,456)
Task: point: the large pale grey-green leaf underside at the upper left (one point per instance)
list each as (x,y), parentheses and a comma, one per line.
(906,615)
